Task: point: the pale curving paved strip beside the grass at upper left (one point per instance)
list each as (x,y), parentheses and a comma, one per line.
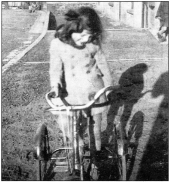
(31,39)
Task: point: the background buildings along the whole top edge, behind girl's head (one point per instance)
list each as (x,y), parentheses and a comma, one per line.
(135,14)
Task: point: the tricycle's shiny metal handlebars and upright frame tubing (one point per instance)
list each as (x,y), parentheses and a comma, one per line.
(72,112)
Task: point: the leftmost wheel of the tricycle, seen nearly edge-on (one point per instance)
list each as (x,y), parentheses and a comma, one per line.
(42,151)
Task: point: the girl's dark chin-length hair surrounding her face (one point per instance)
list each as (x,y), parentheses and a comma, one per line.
(78,20)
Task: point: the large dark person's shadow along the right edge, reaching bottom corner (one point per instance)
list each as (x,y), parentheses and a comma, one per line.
(154,164)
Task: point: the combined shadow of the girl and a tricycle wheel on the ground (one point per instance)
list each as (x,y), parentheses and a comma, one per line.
(130,91)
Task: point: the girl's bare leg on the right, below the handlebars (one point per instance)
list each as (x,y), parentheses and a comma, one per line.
(97,130)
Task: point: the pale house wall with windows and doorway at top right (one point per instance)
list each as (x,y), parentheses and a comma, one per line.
(135,14)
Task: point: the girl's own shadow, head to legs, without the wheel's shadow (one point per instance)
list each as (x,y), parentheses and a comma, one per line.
(130,91)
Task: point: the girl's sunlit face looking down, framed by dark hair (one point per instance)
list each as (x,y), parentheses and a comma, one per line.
(82,38)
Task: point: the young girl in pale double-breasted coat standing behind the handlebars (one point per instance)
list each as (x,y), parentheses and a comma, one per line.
(78,68)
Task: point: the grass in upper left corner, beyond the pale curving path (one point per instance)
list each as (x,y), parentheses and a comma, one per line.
(15,28)
